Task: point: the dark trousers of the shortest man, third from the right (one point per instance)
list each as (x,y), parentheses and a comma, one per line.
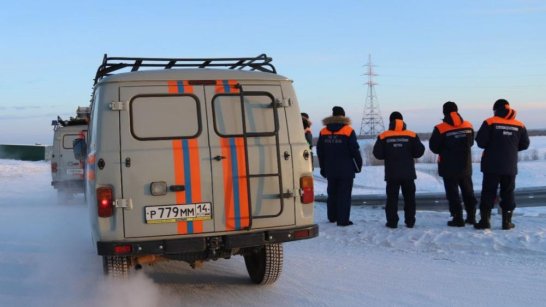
(408,192)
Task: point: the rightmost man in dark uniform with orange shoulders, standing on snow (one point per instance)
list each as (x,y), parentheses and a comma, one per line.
(501,137)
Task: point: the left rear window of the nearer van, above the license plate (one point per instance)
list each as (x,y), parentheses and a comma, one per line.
(163,117)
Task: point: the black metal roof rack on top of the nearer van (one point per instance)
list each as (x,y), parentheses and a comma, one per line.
(112,64)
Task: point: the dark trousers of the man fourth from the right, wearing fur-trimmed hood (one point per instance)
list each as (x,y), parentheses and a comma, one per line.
(339,199)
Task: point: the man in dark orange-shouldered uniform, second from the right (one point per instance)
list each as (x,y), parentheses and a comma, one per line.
(451,140)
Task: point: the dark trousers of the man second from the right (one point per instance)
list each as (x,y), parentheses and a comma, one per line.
(451,185)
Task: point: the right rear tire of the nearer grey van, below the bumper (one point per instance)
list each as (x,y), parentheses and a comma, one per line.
(264,264)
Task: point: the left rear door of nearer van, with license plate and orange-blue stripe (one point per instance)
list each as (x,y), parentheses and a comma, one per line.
(165,161)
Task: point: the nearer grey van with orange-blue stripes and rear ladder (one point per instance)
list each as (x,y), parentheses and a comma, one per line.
(194,160)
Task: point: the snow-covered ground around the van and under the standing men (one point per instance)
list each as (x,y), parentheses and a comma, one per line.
(47,259)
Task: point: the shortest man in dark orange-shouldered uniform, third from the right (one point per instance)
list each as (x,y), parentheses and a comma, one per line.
(399,147)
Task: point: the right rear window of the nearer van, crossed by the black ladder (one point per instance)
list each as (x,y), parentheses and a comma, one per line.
(259,114)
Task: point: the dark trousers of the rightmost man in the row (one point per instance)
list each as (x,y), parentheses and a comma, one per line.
(490,184)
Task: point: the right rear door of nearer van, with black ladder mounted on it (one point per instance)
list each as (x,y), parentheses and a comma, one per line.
(251,156)
